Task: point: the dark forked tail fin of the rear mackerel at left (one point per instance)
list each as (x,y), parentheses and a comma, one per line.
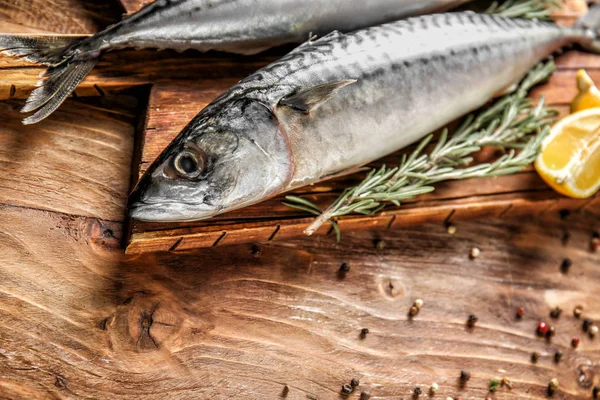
(67,67)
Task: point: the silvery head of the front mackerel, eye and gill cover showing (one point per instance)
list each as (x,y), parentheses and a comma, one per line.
(228,157)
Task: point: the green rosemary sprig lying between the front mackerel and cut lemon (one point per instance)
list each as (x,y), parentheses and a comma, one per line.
(511,123)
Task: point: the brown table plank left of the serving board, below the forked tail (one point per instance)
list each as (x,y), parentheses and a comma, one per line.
(53,165)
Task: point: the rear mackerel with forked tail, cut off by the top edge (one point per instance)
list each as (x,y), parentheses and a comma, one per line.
(238,26)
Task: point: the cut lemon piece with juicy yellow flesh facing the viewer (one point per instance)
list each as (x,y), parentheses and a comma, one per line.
(570,157)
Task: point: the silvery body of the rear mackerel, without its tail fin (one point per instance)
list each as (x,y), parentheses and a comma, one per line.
(250,26)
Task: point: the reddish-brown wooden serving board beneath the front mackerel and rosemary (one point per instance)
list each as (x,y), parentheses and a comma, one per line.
(173,104)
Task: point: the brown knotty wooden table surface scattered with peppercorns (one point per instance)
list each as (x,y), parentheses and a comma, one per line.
(79,319)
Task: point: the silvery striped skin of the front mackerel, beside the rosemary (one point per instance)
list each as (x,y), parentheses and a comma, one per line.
(409,78)
